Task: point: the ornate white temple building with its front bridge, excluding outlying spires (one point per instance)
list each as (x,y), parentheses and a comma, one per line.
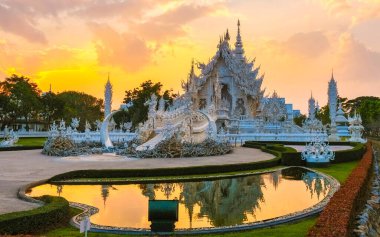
(226,95)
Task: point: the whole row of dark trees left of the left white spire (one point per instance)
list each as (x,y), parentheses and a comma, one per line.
(21,101)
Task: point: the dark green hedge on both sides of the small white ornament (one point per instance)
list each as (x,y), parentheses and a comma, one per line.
(291,157)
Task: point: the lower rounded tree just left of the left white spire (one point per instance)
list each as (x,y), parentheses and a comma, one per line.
(80,105)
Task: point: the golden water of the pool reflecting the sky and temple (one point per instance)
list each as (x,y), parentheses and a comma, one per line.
(207,203)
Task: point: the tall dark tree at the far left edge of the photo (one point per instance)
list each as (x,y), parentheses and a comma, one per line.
(23,98)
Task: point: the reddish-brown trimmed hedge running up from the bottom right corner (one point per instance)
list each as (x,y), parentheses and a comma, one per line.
(338,216)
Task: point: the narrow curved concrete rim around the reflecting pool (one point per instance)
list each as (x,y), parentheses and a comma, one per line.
(89,210)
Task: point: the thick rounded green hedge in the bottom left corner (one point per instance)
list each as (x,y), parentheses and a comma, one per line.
(39,220)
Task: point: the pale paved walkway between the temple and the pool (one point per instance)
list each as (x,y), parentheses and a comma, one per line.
(18,168)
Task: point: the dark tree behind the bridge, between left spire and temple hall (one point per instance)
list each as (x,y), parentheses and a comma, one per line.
(138,112)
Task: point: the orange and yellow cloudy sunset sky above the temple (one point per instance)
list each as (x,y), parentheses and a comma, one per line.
(73,44)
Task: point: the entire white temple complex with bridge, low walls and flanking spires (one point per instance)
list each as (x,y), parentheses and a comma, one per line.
(224,101)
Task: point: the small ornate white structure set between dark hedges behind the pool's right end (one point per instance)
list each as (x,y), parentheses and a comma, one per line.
(317,152)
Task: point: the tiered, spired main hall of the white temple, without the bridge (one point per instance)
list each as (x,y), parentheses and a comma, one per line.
(229,88)
